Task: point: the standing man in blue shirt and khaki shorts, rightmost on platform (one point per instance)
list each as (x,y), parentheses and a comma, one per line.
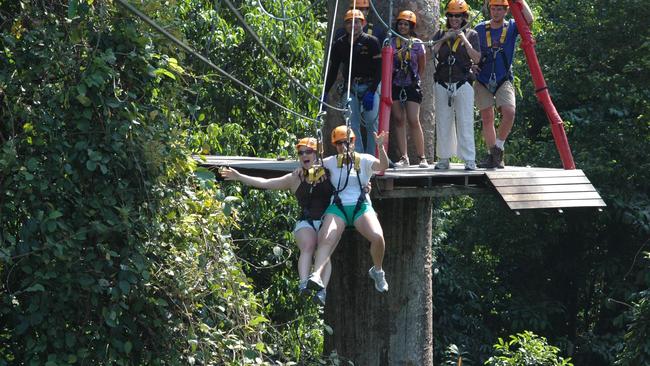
(497,39)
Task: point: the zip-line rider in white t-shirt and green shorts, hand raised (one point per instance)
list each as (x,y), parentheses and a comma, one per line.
(349,173)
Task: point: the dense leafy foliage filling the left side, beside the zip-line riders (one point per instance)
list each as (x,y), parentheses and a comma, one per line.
(111,253)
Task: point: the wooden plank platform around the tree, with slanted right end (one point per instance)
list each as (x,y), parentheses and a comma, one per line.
(520,187)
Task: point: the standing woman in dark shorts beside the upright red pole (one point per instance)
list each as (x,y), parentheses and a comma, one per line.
(409,63)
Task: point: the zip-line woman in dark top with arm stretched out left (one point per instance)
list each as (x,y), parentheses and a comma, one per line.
(313,195)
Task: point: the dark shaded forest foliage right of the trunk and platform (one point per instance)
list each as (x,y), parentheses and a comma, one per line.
(563,276)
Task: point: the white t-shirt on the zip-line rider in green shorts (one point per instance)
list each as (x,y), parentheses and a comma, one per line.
(352,191)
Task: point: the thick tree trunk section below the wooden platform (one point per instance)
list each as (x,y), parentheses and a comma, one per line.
(394,328)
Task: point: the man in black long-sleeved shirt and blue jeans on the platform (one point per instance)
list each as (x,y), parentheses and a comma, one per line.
(365,77)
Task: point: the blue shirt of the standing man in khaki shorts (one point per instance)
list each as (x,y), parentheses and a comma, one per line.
(498,58)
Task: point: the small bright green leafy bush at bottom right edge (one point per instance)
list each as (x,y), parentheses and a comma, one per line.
(526,349)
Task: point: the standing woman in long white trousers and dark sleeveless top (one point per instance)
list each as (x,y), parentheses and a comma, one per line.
(456,53)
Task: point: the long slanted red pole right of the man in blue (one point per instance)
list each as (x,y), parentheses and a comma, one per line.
(541,90)
